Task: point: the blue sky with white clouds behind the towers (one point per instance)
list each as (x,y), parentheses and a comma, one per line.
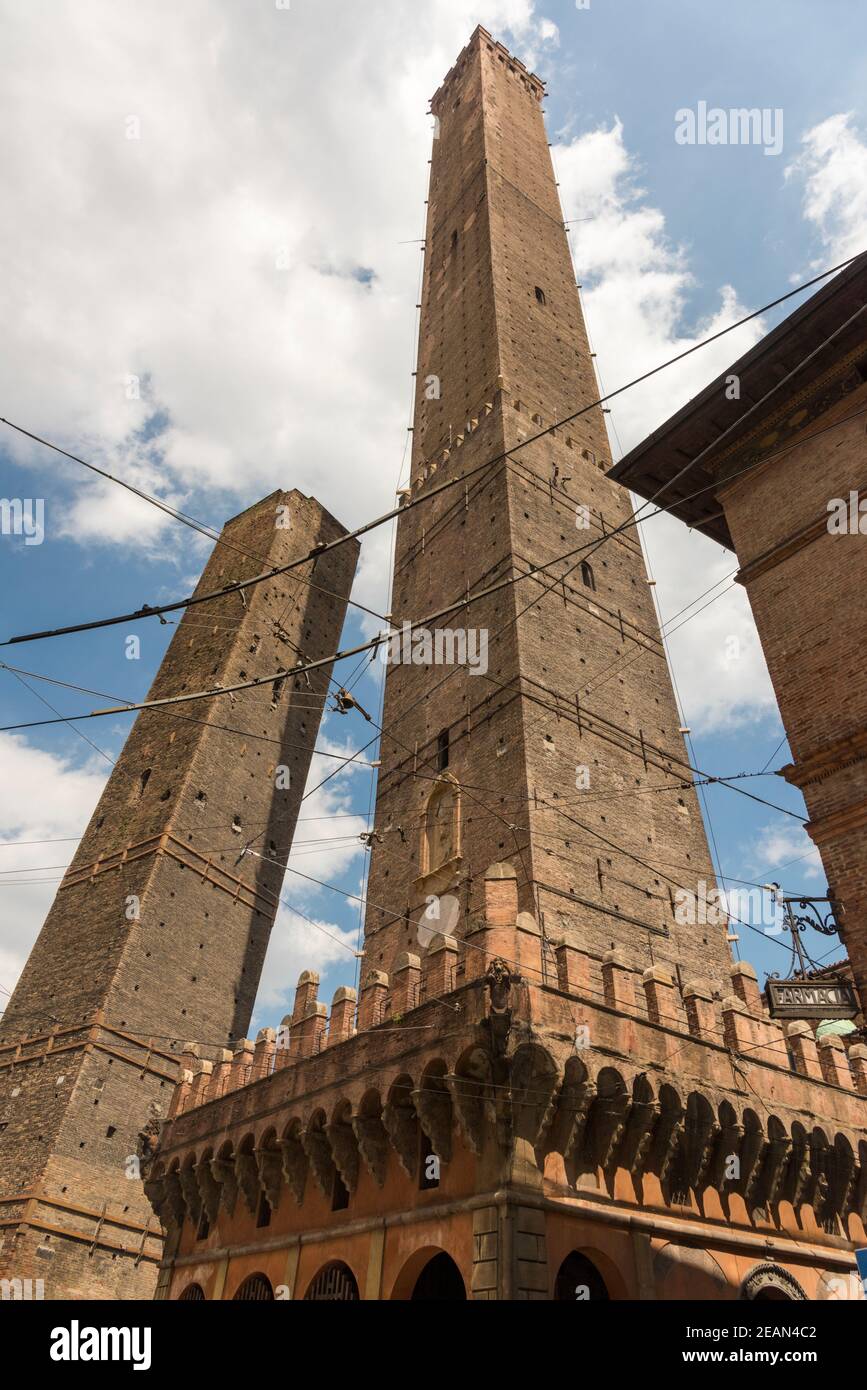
(222,202)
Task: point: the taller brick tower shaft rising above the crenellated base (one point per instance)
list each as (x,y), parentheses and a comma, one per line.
(565,755)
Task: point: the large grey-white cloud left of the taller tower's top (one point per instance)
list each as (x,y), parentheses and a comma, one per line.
(249,234)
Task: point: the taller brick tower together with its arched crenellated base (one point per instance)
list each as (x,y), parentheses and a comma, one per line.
(552,1088)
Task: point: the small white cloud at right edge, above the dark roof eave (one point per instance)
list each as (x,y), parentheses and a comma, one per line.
(833,167)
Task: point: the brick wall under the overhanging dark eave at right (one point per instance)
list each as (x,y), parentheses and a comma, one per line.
(808,593)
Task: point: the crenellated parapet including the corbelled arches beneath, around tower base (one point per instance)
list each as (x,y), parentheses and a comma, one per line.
(533,1074)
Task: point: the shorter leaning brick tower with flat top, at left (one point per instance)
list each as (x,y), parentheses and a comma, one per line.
(160,926)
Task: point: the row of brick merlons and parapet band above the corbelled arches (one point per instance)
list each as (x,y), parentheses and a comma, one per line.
(738,1022)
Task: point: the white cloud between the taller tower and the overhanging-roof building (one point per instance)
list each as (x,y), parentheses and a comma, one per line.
(636,295)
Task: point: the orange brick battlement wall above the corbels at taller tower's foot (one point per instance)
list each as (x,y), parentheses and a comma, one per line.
(618,1008)
